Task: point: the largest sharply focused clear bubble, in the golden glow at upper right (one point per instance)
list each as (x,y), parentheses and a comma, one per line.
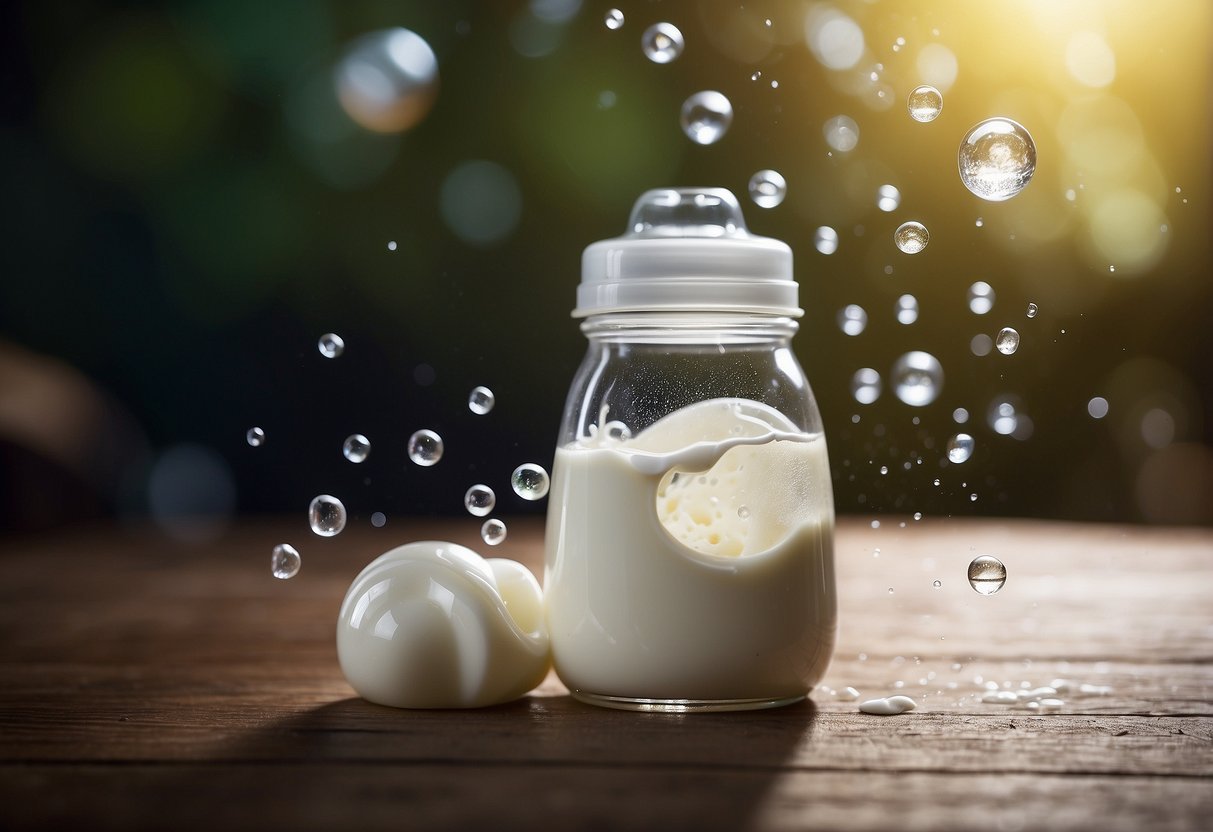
(998,159)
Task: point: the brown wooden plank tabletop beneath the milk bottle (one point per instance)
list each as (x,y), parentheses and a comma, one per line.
(156,686)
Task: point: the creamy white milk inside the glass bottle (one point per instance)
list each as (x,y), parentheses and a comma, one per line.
(694,561)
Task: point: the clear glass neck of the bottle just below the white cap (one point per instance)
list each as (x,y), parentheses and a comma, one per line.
(690,328)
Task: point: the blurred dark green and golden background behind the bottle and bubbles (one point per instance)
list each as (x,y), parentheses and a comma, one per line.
(197,191)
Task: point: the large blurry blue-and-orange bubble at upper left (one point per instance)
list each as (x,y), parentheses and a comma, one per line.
(388,81)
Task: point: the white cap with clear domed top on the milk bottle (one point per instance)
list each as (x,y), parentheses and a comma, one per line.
(688,250)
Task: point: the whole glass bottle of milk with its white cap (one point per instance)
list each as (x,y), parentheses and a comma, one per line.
(690,544)
